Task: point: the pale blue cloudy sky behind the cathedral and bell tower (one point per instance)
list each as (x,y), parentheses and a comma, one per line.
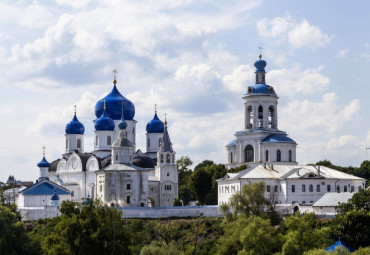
(192,58)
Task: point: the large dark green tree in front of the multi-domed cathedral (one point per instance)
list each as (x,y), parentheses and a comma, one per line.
(92,228)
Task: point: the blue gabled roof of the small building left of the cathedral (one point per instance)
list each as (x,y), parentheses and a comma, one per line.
(44,188)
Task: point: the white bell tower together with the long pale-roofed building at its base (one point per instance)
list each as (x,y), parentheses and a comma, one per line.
(271,155)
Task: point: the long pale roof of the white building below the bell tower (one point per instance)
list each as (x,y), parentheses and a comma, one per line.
(290,172)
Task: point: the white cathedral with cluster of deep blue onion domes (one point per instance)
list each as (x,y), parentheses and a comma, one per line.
(115,171)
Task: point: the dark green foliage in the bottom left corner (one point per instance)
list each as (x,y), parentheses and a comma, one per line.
(13,236)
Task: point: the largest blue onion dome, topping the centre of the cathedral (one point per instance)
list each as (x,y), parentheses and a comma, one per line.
(113,105)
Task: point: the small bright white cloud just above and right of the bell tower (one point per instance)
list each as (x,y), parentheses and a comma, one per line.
(297,34)
